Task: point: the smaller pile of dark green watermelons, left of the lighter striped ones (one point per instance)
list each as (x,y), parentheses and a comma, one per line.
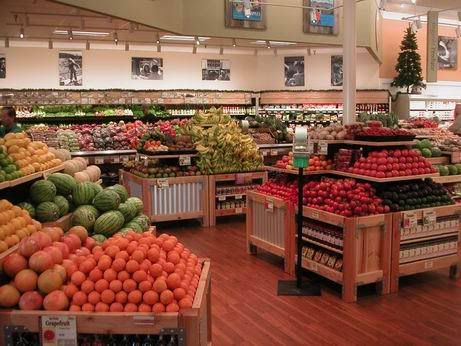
(50,199)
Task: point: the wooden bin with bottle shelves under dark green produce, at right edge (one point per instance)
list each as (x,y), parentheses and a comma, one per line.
(425,247)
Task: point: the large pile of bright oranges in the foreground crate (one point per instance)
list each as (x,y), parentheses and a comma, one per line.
(135,272)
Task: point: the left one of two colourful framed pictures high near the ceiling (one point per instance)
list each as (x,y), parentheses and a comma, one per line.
(245,14)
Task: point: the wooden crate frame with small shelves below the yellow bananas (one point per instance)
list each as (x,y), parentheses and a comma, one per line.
(237,179)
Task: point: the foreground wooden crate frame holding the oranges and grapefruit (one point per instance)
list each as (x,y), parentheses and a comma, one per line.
(196,322)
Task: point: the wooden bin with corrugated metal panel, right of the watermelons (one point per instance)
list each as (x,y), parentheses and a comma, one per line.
(170,199)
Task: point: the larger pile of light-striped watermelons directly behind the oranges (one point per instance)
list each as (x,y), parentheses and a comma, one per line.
(107,211)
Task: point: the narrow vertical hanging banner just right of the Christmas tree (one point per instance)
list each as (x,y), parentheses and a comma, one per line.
(432,46)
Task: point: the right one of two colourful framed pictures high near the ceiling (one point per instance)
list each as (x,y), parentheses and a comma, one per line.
(320,17)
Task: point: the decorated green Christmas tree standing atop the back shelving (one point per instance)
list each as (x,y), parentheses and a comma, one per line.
(408,63)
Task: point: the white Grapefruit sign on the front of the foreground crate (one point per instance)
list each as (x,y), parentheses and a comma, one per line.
(58,331)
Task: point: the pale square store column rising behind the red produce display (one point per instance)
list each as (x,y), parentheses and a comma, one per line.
(349,61)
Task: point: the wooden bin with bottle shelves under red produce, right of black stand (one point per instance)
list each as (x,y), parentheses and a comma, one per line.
(365,253)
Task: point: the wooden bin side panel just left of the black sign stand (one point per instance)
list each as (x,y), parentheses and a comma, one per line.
(270,225)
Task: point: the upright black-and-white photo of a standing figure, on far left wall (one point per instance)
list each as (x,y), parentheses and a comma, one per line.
(70,68)
